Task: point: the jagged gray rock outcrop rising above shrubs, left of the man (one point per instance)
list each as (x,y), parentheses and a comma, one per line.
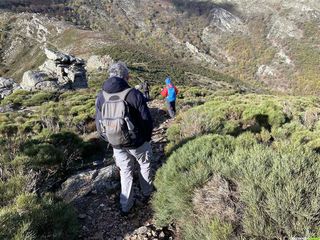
(59,71)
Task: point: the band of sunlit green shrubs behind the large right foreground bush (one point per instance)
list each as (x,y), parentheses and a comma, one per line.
(236,114)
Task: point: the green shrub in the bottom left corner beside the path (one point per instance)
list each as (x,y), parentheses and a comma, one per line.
(32,218)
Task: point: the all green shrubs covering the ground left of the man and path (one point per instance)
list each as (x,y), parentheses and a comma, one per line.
(40,145)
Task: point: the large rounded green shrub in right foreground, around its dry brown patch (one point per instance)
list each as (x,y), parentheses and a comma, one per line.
(278,187)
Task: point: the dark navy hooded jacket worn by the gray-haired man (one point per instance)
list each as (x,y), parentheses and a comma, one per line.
(138,109)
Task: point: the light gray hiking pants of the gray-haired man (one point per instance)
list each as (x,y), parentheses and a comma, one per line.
(125,161)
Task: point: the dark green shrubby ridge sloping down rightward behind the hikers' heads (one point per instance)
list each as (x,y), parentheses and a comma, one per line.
(150,66)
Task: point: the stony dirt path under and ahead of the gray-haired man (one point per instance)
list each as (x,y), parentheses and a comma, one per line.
(98,212)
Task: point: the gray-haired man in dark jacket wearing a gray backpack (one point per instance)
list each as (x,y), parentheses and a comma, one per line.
(124,120)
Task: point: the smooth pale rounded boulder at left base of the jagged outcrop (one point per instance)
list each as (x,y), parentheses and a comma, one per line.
(37,80)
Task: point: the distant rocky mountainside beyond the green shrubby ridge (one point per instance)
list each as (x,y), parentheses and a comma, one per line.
(261,42)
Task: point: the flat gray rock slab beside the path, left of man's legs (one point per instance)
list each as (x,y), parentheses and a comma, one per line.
(79,185)
